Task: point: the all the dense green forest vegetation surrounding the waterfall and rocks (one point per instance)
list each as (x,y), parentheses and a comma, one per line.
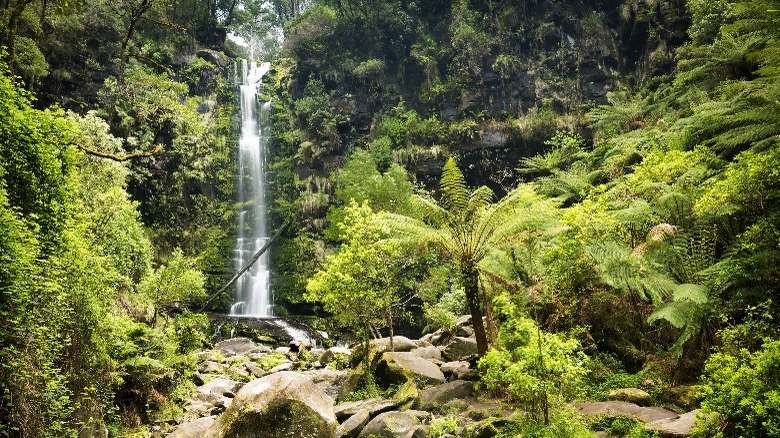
(598,179)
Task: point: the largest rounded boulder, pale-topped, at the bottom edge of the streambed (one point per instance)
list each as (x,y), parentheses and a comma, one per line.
(279,405)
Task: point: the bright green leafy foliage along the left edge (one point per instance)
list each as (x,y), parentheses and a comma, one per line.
(73,245)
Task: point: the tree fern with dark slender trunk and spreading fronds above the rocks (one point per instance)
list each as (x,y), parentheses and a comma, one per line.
(465,225)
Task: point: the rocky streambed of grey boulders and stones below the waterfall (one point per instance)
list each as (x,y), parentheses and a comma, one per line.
(246,389)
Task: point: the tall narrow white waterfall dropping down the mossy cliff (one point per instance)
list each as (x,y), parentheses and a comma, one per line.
(253,294)
